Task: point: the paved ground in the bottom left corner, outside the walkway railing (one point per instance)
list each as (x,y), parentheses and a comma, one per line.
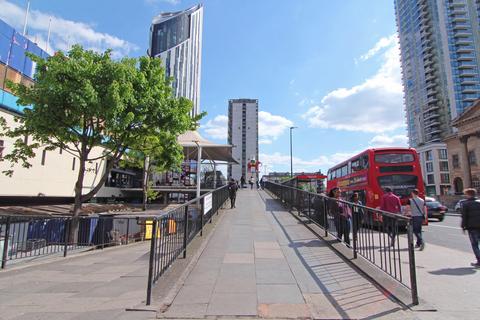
(101,285)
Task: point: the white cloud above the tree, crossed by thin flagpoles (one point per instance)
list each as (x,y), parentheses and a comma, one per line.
(64,33)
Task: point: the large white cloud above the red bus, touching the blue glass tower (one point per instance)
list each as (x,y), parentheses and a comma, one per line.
(376,105)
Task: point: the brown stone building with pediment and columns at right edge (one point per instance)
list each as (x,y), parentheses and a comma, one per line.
(464,150)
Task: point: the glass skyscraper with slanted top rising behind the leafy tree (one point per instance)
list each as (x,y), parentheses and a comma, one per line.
(176,38)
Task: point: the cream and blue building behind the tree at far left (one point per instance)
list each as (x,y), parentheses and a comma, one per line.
(53,172)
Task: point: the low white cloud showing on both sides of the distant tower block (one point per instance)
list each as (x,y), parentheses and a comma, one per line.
(270,127)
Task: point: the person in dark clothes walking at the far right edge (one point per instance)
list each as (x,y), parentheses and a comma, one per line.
(471,222)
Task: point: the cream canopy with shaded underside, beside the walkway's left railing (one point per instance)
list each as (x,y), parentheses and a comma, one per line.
(191,140)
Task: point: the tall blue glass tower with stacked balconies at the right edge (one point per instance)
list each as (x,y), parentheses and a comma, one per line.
(440,52)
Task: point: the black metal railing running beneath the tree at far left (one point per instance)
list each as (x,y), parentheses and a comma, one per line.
(29,237)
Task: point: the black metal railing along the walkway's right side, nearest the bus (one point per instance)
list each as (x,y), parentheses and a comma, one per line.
(382,238)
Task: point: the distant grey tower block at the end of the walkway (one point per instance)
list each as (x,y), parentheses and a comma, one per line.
(243,135)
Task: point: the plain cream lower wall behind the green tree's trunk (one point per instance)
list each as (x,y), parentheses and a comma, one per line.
(56,178)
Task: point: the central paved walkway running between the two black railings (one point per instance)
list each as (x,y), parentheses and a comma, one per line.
(261,262)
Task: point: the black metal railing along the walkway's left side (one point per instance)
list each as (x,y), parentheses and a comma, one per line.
(172,232)
